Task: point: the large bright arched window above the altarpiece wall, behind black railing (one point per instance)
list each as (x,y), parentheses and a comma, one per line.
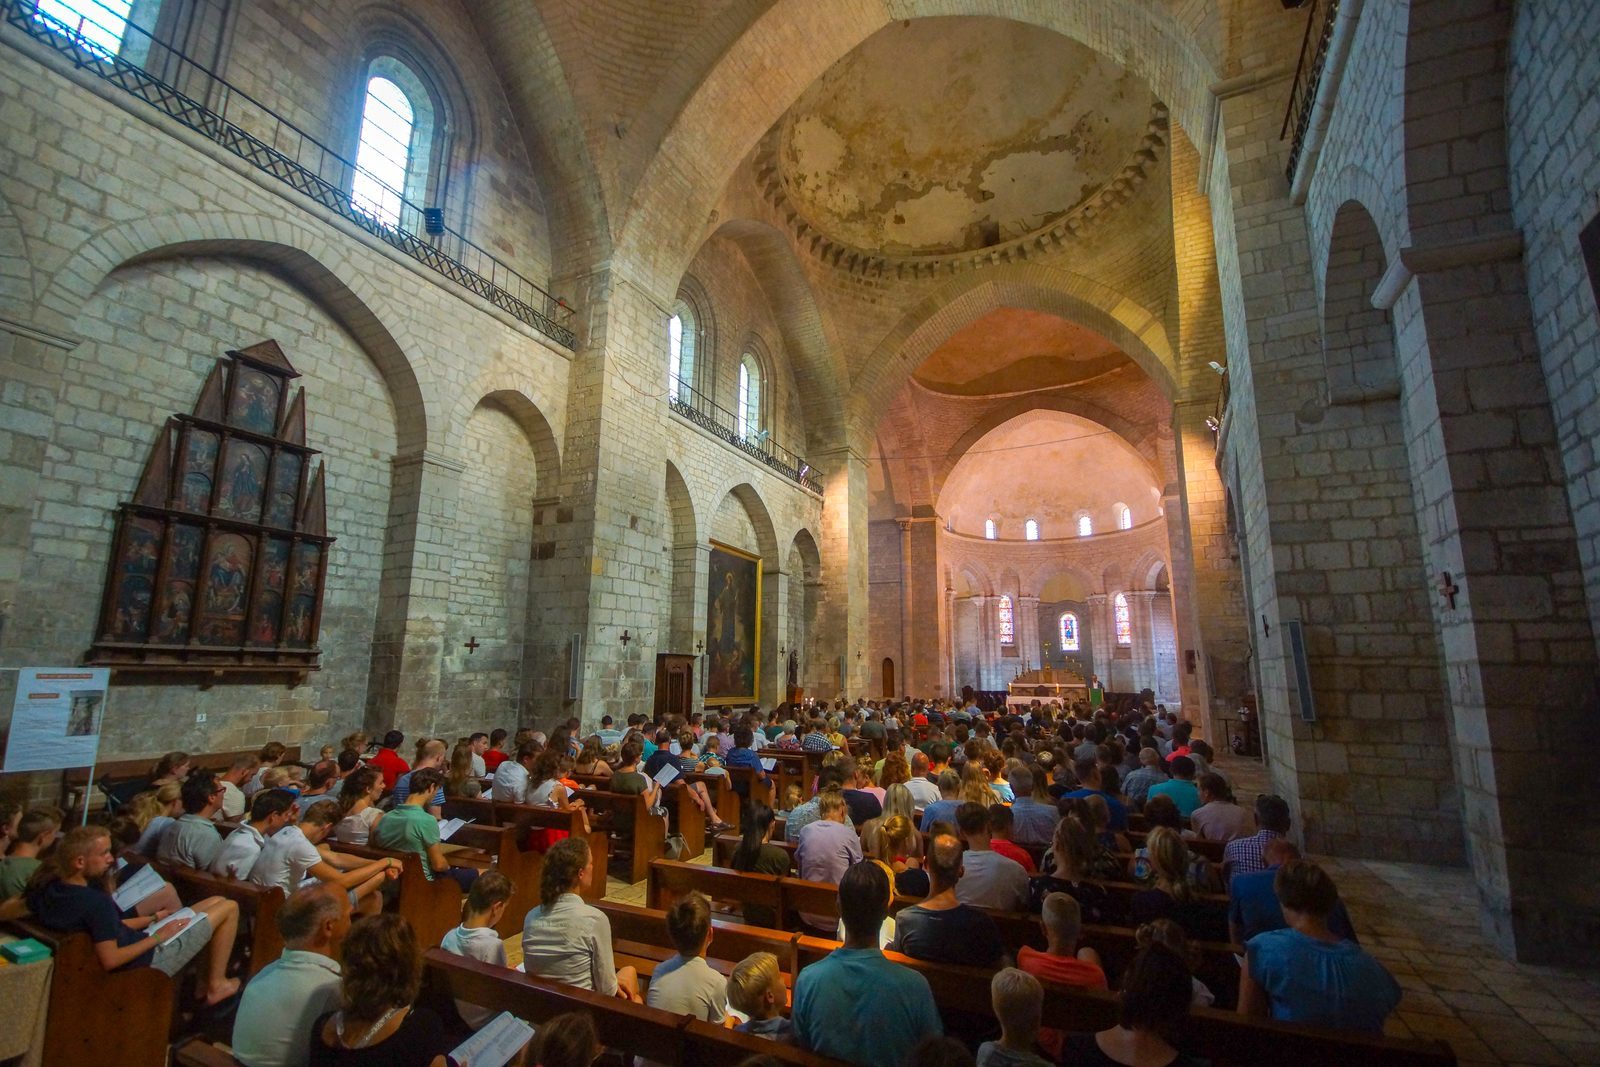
(394,148)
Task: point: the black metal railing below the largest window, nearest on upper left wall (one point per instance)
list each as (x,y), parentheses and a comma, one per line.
(276,146)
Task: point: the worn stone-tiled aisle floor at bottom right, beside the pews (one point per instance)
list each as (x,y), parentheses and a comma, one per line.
(1423,924)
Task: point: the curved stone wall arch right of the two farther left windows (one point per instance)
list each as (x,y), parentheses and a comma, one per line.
(814,356)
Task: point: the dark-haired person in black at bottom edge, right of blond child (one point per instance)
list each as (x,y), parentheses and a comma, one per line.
(1151,1013)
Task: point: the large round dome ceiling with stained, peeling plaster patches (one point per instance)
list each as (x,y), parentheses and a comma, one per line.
(959,134)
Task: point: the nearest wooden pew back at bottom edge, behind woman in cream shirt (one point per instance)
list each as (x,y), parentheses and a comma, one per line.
(658,1036)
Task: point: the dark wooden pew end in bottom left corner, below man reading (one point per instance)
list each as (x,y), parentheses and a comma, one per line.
(102,1017)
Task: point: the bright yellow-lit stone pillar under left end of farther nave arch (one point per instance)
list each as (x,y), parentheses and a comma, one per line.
(842,613)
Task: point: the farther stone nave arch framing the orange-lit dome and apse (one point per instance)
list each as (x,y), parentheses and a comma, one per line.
(1031,287)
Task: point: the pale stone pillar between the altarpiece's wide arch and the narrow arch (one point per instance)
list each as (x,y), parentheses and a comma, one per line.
(414,599)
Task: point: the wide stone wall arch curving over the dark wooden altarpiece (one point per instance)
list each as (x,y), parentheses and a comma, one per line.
(303,255)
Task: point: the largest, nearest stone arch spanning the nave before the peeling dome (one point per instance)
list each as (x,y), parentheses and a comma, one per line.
(711,137)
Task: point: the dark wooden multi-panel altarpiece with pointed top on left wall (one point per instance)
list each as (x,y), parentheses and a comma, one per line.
(220,561)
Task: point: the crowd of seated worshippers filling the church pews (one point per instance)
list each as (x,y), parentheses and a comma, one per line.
(964,815)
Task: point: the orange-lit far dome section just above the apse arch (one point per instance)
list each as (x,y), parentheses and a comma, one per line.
(1012,351)
